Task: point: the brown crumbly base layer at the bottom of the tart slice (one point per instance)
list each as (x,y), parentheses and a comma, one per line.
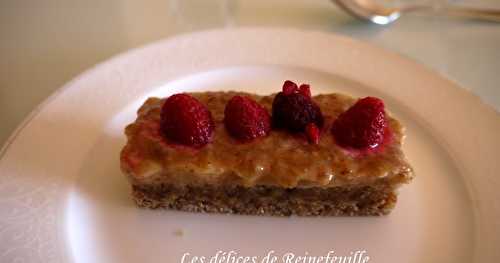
(264,200)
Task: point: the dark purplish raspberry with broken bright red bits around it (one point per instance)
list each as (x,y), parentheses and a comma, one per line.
(294,110)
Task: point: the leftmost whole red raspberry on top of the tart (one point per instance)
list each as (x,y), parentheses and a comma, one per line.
(186,121)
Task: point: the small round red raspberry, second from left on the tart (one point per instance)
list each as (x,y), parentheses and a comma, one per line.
(245,119)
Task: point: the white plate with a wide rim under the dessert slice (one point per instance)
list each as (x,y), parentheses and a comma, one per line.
(63,198)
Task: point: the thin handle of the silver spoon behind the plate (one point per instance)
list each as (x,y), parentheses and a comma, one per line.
(492,15)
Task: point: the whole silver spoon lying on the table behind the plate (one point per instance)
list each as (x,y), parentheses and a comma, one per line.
(370,10)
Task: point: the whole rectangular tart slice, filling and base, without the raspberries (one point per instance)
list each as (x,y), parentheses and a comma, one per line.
(280,174)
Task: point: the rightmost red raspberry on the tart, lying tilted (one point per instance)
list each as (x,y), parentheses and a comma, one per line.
(362,125)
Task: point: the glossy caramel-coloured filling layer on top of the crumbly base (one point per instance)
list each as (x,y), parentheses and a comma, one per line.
(281,159)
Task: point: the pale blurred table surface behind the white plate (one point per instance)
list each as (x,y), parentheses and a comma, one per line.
(46,43)
